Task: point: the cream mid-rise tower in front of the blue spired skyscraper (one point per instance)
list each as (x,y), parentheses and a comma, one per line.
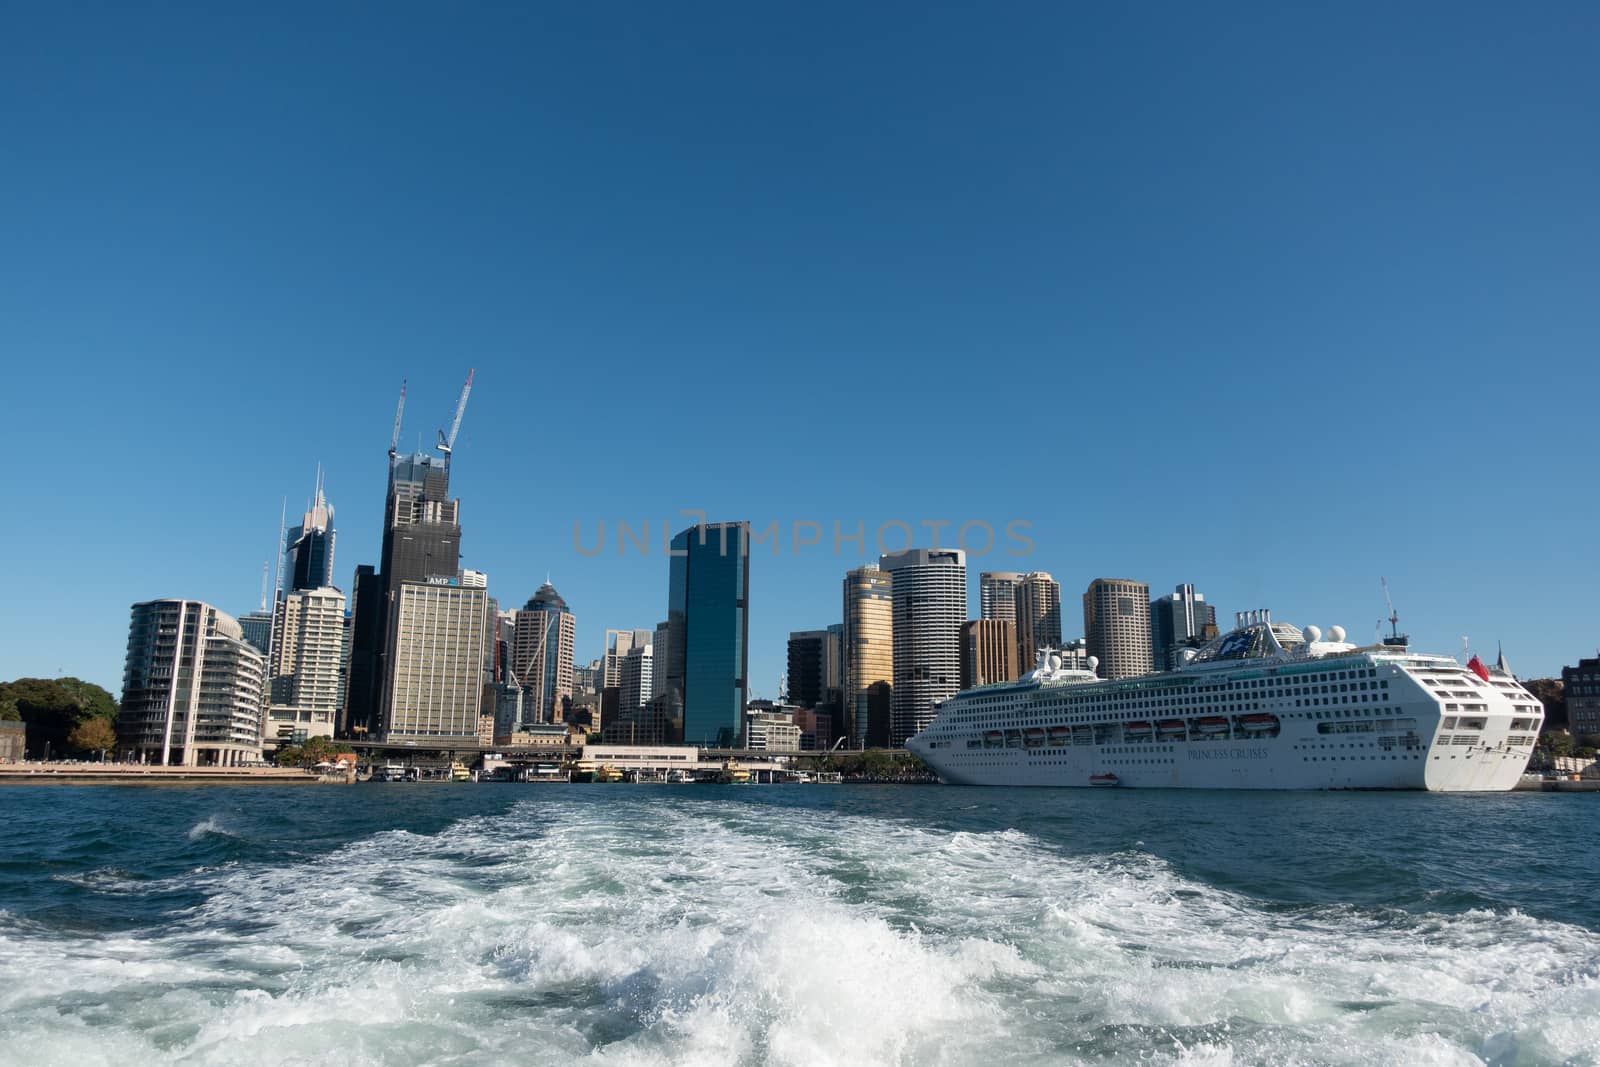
(303,673)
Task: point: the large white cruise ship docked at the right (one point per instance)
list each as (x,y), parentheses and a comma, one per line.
(1266,706)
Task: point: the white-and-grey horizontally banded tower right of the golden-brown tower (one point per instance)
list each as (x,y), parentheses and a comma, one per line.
(930,607)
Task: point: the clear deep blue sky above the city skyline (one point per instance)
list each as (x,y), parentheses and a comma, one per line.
(1271,300)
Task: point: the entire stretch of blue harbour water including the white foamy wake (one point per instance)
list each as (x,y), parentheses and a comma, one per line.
(796,925)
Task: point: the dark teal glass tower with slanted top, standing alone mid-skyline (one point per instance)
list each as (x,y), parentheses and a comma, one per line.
(708,634)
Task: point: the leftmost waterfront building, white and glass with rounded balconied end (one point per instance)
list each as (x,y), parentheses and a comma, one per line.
(191,690)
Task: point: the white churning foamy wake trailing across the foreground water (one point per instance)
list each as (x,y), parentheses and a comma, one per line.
(671,932)
